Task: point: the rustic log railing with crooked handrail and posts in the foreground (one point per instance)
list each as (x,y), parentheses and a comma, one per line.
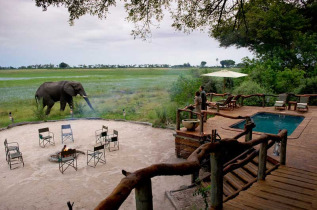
(140,180)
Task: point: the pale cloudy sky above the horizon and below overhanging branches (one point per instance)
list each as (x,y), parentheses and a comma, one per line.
(30,36)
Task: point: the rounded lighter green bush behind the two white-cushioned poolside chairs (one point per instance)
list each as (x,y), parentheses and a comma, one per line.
(288,80)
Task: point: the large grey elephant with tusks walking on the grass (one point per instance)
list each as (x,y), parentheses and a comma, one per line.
(62,91)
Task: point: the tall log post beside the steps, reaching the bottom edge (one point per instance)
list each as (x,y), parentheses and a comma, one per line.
(216,178)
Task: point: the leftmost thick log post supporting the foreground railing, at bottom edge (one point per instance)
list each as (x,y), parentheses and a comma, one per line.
(143,195)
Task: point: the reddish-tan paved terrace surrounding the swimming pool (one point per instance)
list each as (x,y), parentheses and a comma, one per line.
(301,146)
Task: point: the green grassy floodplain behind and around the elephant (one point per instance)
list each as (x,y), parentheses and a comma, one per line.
(138,91)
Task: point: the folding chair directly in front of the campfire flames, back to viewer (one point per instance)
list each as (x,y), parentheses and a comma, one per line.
(66,159)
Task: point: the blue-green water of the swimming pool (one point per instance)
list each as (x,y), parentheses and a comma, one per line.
(272,123)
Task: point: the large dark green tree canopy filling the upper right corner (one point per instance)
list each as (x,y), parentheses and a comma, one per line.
(276,30)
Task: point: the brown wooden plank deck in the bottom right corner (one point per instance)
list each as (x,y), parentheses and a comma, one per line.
(284,188)
